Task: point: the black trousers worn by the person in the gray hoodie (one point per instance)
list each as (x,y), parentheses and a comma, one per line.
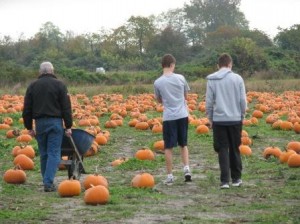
(227,140)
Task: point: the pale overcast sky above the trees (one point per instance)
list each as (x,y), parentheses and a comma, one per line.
(82,16)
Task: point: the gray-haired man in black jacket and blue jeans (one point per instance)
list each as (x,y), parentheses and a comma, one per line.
(47,102)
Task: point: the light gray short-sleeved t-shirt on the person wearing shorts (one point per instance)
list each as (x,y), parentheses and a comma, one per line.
(172,89)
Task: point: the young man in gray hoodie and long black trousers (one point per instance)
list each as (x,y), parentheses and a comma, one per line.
(226,105)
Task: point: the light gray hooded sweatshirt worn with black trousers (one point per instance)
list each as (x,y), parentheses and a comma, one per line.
(226,100)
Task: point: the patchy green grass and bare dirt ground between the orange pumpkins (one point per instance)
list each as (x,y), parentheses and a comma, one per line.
(270,193)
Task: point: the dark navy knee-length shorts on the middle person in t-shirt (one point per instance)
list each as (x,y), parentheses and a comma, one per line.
(175,133)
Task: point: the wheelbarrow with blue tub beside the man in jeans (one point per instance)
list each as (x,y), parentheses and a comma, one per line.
(74,147)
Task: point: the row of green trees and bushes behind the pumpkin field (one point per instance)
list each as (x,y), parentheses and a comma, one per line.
(195,34)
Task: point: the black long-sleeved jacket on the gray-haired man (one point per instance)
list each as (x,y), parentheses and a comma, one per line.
(47,97)
